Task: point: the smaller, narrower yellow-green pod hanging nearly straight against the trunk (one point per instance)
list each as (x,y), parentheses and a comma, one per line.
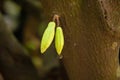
(59,40)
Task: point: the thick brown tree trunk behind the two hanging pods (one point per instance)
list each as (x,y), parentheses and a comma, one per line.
(91,36)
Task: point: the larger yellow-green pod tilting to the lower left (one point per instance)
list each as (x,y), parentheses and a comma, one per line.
(48,36)
